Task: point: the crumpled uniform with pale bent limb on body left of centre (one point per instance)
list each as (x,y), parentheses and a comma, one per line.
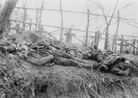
(39,54)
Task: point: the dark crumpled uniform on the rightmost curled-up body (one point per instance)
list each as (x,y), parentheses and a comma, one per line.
(116,64)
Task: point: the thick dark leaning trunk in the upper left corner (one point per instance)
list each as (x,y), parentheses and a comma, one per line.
(5,14)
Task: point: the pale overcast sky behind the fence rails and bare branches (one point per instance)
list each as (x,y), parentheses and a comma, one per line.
(79,20)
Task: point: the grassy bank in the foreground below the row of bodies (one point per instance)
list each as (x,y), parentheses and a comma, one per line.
(20,79)
